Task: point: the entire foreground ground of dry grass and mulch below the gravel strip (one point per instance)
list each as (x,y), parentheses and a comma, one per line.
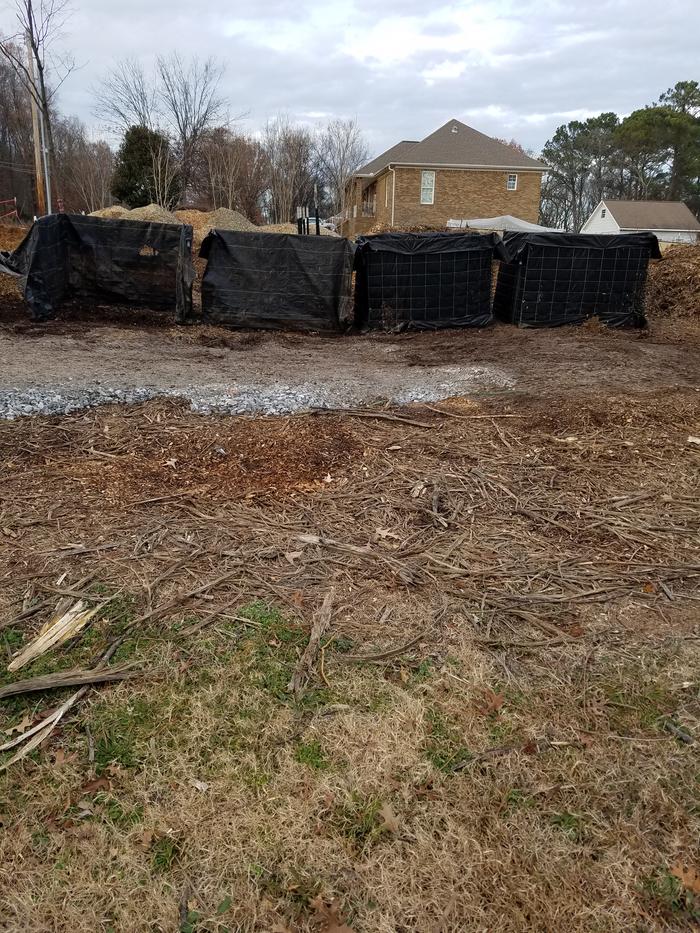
(520,767)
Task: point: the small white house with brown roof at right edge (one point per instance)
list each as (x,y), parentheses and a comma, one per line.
(671,221)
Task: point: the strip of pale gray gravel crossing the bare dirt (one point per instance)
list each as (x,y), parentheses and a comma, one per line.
(275,399)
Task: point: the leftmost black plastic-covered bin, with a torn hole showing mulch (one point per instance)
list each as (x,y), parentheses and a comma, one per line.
(67,257)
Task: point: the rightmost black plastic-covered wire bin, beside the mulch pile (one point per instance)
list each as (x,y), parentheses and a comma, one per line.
(550,279)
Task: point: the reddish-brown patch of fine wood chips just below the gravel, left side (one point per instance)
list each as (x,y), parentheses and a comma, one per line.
(118,455)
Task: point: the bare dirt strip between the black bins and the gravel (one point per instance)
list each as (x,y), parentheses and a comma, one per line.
(77,354)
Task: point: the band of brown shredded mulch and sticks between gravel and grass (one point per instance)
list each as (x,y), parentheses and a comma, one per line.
(523,511)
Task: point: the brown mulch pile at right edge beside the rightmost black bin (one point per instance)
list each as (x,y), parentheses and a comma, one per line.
(673,288)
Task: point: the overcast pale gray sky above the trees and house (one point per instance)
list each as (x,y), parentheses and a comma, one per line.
(401,67)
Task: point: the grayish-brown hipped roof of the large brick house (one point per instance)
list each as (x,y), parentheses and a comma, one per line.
(454,144)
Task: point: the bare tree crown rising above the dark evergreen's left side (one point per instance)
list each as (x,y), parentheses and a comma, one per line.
(127,97)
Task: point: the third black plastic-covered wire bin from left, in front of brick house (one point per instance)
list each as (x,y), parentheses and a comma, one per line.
(424,281)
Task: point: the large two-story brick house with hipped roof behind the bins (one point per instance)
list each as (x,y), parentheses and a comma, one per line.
(455,172)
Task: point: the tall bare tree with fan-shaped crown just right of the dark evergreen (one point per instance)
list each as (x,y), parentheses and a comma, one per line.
(191,103)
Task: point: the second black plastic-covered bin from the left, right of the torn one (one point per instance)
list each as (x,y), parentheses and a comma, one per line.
(277,281)
